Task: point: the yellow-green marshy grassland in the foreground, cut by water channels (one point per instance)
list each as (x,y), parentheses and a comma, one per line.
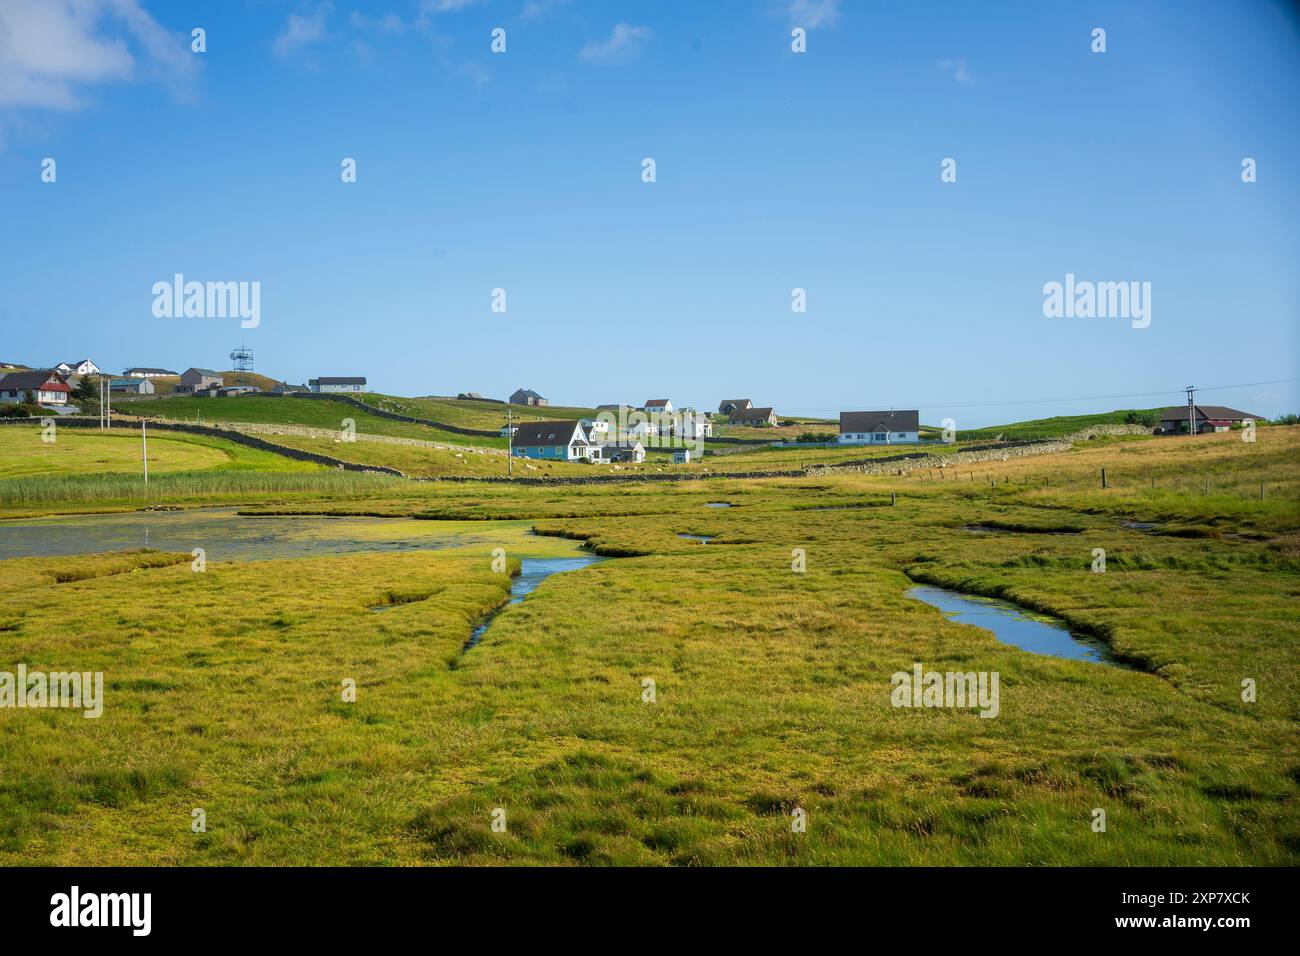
(772,687)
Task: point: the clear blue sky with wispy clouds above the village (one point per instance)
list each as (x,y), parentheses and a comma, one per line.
(774,171)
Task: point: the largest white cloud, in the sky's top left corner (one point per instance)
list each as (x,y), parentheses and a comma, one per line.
(50,50)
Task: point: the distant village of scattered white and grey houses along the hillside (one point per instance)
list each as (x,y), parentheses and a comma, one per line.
(618,432)
